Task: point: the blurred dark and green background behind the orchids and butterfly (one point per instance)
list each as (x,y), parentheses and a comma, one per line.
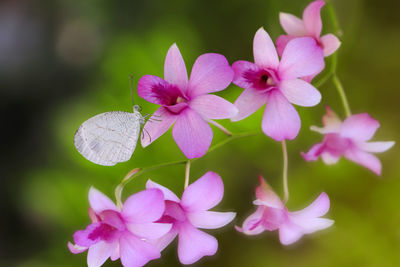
(63,61)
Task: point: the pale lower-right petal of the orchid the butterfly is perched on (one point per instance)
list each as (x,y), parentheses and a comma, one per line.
(213,107)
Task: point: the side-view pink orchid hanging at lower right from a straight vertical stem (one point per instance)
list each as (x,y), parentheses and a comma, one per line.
(271,215)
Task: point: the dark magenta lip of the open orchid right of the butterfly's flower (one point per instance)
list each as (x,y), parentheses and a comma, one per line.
(241,71)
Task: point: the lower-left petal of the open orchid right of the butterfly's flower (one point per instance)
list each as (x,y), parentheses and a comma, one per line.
(249,102)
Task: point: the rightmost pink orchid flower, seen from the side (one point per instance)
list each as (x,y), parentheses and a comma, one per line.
(349,139)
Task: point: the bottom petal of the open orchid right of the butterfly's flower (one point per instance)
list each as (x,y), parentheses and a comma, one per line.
(281,120)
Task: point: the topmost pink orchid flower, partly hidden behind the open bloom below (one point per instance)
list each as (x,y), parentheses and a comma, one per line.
(310,26)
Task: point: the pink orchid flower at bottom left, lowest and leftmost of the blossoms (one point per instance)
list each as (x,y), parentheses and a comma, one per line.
(122,233)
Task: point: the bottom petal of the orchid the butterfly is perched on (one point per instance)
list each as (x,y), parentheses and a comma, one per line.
(192,134)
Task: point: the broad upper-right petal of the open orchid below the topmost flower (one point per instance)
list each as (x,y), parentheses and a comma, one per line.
(301,57)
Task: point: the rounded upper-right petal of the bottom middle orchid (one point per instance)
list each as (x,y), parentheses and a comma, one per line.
(203,194)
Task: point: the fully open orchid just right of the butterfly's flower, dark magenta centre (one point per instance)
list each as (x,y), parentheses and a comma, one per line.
(278,84)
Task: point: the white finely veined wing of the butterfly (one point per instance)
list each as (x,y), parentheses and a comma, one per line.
(108,138)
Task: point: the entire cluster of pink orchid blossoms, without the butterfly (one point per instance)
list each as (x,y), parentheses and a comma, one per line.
(280,77)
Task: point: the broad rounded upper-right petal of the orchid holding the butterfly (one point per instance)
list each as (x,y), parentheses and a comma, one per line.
(210,73)
